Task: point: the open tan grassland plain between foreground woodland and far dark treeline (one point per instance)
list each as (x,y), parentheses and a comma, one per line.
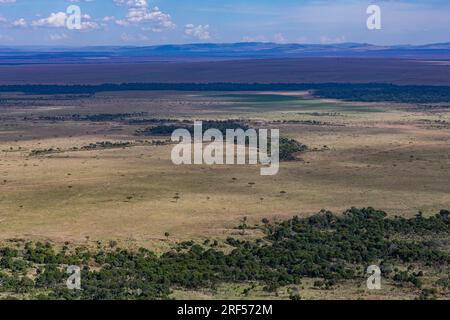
(393,157)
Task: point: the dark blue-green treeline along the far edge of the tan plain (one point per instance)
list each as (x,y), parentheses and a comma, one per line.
(346,91)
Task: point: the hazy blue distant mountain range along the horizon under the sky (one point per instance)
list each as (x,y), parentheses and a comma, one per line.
(214,51)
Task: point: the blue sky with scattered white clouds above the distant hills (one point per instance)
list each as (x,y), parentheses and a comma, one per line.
(154,22)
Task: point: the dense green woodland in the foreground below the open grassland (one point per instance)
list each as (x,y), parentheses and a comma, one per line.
(333,248)
